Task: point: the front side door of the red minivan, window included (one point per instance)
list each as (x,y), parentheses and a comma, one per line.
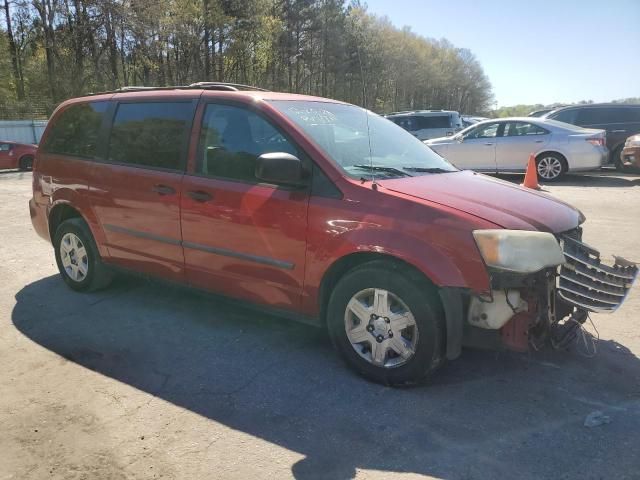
(241,237)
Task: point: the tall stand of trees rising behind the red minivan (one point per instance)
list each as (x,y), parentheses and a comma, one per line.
(67,48)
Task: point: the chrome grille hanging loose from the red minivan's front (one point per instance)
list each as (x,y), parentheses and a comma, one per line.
(588,283)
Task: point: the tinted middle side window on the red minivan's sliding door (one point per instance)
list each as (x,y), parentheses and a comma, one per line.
(150,134)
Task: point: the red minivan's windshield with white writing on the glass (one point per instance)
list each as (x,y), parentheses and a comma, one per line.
(357,140)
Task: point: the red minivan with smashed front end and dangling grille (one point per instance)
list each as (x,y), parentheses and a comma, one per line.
(319,210)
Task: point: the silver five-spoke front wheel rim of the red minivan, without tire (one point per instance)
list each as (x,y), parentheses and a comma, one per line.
(381,328)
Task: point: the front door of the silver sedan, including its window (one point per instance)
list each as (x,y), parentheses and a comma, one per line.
(476,149)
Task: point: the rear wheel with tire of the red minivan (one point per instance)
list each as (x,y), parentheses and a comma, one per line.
(77,257)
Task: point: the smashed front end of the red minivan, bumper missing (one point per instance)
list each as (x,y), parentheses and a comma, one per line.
(529,309)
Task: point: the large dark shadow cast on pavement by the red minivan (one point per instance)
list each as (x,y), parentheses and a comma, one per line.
(485,415)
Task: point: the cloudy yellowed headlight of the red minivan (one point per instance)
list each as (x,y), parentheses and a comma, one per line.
(518,251)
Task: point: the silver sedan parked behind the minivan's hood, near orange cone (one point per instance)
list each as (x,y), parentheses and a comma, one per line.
(504,145)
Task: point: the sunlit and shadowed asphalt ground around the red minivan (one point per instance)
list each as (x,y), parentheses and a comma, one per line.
(145,381)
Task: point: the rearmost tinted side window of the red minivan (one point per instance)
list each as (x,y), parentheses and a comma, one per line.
(75,131)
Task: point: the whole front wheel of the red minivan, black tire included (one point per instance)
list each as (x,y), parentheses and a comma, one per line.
(408,292)
